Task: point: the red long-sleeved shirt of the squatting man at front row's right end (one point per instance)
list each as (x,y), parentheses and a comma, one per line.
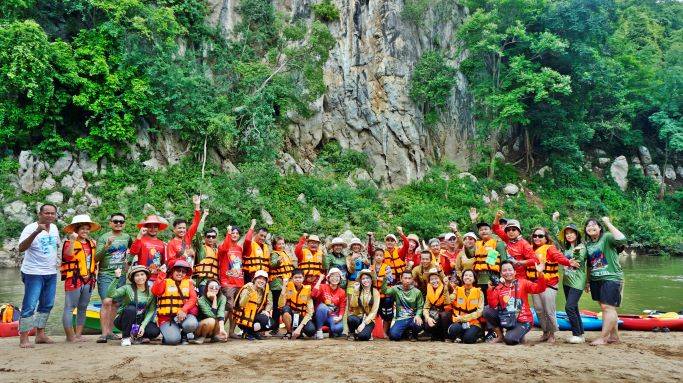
(504,292)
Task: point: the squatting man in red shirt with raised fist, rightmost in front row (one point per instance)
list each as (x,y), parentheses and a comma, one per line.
(508,304)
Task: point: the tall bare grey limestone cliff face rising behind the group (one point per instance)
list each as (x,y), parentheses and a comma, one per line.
(367,107)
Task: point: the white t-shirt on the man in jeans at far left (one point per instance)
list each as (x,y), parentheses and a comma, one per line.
(41,256)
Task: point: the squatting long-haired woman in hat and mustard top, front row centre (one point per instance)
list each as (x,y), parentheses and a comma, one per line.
(363,306)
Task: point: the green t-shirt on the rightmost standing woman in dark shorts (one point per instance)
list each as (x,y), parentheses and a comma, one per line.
(603,259)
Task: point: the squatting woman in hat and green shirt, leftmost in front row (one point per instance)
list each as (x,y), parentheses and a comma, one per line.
(138,305)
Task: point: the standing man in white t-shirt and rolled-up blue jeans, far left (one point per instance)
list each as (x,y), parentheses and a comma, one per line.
(39,241)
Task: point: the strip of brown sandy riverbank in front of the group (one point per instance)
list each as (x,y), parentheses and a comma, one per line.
(641,357)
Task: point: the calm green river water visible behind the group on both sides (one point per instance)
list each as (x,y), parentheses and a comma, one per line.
(650,283)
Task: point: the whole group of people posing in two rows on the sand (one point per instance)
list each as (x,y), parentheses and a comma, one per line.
(462,287)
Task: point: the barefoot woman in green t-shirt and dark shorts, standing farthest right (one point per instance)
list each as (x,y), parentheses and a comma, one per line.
(606,276)
